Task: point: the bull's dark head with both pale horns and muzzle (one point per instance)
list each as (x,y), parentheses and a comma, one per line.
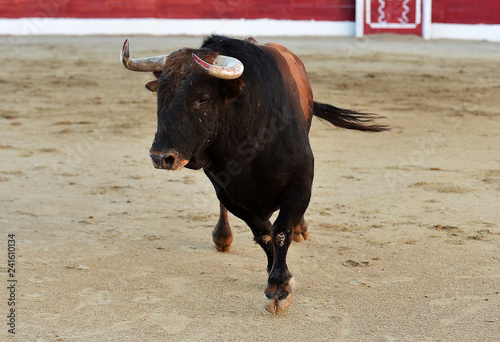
(194,90)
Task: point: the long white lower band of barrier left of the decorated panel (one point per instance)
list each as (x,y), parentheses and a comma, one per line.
(236,27)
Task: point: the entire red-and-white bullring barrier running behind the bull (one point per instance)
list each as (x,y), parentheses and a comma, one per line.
(466,19)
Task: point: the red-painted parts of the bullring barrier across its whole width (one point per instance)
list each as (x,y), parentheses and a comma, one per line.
(443,11)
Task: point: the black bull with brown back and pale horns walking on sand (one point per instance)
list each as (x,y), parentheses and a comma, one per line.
(241,111)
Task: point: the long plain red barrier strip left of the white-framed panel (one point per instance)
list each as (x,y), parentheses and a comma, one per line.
(332,10)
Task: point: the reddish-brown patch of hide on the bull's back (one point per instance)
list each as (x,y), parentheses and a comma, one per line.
(295,77)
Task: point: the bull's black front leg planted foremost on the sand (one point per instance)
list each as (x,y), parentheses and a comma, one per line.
(281,283)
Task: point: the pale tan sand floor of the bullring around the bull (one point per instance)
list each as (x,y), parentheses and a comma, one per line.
(404,242)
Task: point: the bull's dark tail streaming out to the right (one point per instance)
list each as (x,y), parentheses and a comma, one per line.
(347,118)
